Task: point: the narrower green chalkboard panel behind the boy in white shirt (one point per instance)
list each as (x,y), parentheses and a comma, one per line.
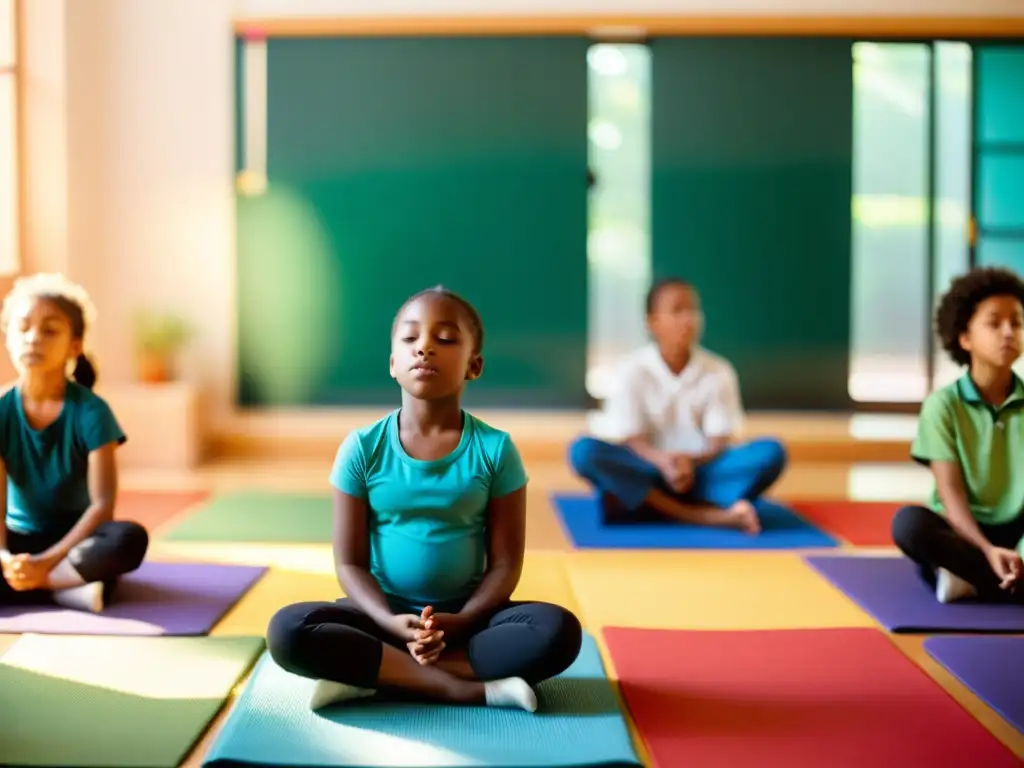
(752,203)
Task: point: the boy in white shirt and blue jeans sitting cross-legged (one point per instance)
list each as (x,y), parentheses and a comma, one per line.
(669,430)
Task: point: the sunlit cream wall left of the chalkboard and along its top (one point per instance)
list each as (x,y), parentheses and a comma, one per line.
(131,149)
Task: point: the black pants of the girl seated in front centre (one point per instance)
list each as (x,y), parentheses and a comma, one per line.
(337,642)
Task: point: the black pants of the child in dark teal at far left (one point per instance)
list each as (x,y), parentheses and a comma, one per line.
(113,550)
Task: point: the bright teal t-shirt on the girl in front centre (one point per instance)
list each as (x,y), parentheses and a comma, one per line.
(428,519)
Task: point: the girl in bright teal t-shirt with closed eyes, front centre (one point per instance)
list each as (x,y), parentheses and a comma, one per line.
(430,507)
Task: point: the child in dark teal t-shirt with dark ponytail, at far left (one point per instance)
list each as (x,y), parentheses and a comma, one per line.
(59,477)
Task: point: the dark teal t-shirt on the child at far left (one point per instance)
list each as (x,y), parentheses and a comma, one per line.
(48,470)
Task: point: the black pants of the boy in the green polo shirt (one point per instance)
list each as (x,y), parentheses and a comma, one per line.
(928,540)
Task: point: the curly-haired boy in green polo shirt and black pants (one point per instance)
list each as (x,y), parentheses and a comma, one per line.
(971,435)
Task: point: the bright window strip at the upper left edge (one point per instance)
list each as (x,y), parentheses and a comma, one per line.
(9,142)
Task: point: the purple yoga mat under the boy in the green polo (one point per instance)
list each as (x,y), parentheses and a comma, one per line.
(892,591)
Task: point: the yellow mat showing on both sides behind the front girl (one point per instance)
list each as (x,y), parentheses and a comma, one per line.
(544,579)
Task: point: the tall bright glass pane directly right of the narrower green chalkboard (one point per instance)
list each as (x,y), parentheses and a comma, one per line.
(890,306)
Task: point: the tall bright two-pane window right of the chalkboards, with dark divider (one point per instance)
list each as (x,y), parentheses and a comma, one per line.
(913,144)
